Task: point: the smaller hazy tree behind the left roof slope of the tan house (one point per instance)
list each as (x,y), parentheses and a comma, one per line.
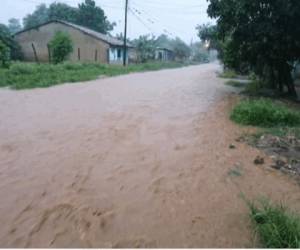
(39,16)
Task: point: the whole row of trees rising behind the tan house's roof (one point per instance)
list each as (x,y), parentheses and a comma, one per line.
(87,14)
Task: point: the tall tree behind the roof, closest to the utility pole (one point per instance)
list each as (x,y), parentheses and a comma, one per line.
(93,17)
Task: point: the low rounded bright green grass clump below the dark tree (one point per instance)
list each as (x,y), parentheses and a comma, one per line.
(264,113)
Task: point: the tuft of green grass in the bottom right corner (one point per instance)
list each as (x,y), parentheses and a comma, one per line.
(275,225)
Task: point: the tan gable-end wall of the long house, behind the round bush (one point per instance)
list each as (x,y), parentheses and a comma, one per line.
(41,36)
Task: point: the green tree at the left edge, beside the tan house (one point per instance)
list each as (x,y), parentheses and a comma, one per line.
(7,39)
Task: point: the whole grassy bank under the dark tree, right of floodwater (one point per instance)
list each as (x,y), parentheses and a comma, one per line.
(270,115)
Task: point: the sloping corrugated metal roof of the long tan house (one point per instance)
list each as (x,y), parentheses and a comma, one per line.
(105,38)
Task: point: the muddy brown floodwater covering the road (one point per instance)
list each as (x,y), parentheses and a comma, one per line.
(141,160)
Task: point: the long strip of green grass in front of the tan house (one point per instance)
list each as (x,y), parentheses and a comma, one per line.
(30,75)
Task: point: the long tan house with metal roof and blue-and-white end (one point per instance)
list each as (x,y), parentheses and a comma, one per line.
(89,45)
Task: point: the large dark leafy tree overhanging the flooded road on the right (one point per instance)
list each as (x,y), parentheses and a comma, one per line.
(264,34)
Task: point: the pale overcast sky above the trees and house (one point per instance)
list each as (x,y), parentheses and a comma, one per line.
(172,17)
